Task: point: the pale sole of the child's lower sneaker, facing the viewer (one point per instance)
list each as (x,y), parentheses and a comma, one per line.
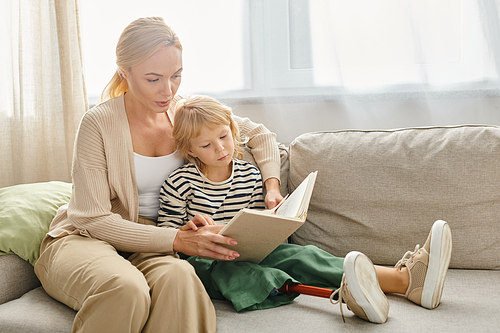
(362,280)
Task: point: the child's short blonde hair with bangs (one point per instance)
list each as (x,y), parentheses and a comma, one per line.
(195,112)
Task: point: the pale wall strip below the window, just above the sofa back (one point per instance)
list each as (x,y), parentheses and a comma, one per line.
(290,119)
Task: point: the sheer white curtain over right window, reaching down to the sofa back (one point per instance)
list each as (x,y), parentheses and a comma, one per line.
(377,64)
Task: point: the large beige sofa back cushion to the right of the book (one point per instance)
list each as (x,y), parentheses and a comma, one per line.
(379,192)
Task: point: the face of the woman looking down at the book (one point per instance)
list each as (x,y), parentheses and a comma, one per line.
(154,82)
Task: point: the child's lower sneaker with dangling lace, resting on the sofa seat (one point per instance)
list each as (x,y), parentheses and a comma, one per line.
(360,290)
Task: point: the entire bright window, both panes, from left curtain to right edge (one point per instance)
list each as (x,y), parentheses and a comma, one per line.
(262,48)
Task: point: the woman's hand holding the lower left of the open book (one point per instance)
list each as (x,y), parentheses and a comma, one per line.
(204,242)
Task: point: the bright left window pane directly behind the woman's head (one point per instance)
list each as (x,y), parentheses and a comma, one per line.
(214,36)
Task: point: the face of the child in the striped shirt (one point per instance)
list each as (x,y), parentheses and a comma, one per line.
(214,147)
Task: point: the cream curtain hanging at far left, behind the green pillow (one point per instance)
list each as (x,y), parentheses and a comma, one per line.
(42,91)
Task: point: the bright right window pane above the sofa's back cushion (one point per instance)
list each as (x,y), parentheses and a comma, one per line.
(362,44)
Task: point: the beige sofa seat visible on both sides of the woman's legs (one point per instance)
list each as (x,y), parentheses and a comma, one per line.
(469,303)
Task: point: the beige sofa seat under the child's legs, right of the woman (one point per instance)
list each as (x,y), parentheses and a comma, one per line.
(469,304)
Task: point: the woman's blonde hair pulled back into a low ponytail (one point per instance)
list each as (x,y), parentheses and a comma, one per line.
(140,40)
